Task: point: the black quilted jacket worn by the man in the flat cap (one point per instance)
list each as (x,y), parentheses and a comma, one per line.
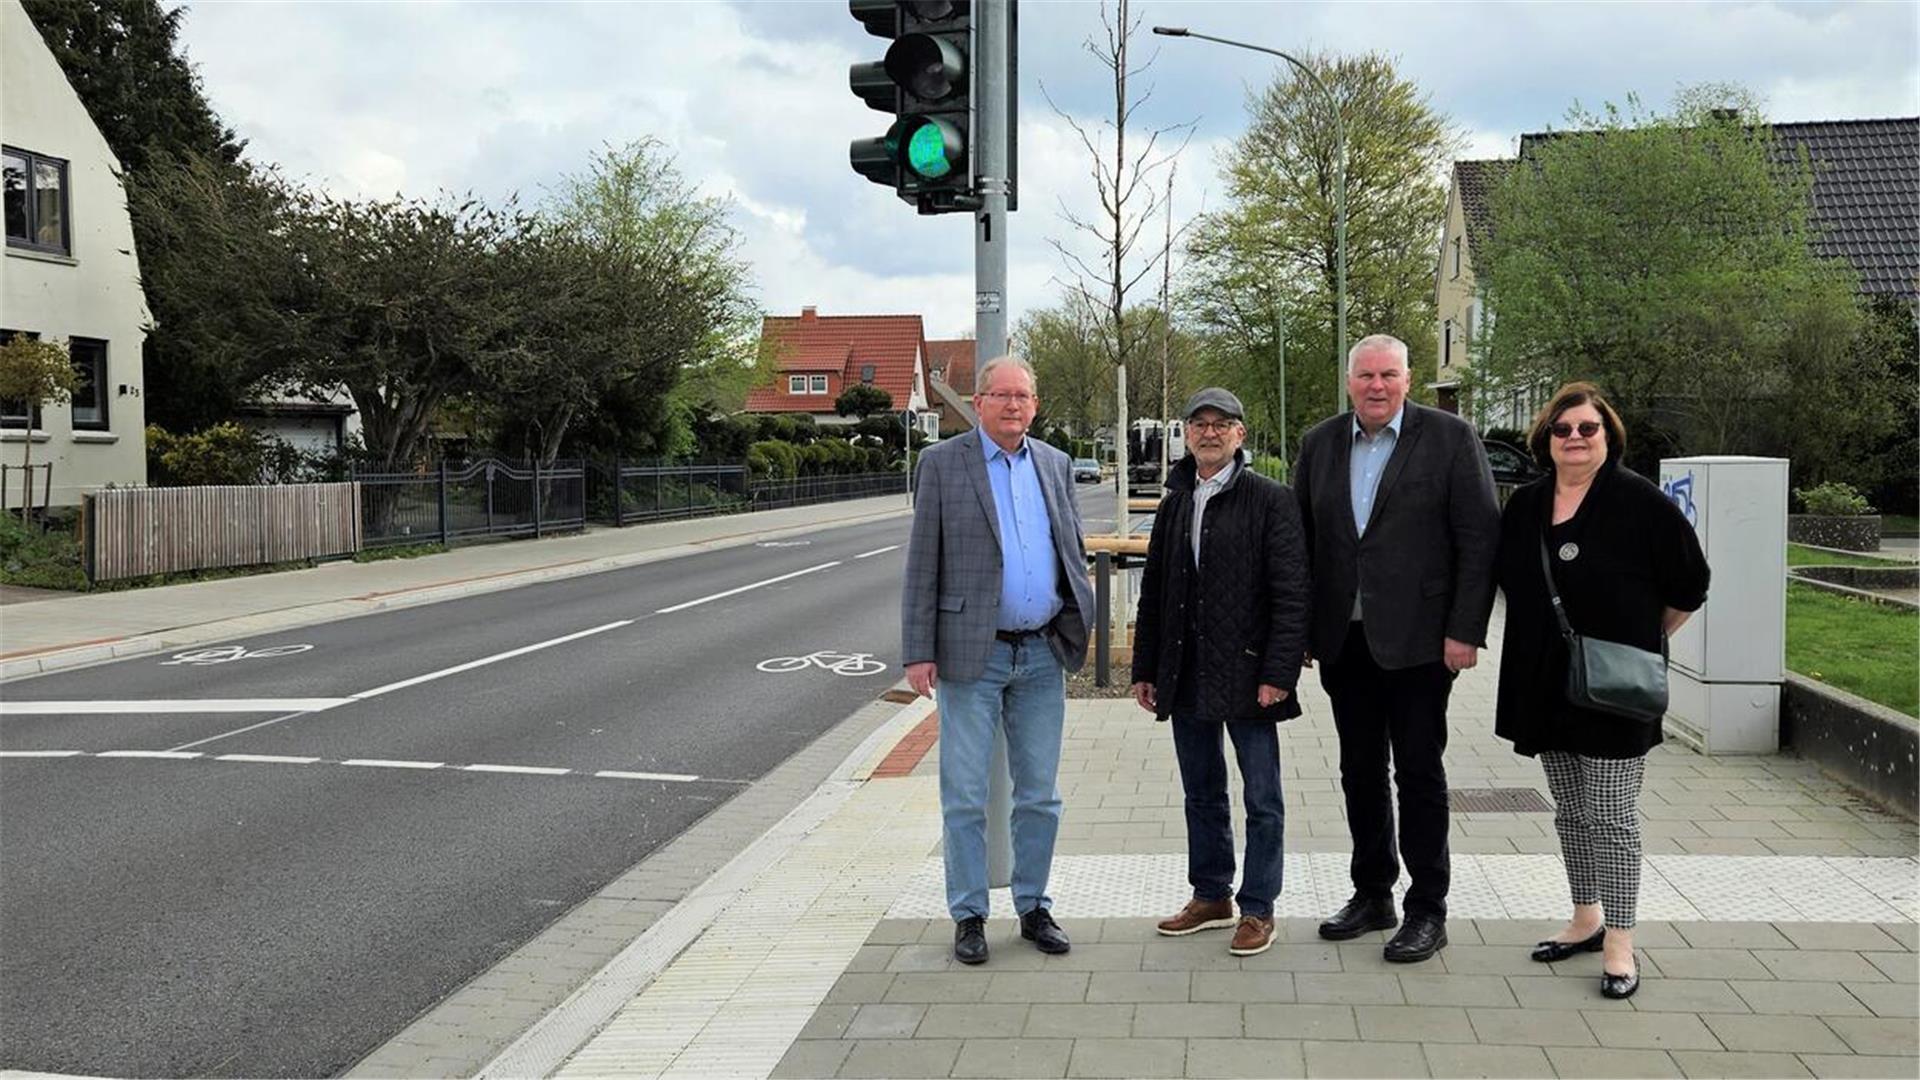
(1249,599)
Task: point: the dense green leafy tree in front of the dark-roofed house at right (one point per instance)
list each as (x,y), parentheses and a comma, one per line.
(1669,260)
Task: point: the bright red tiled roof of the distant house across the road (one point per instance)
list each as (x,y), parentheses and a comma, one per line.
(838,347)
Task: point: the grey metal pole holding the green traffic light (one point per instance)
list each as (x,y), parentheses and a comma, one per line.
(992,126)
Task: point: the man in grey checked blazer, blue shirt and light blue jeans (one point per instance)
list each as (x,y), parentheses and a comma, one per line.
(996,614)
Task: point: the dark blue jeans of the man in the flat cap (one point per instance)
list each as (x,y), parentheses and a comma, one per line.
(1211,816)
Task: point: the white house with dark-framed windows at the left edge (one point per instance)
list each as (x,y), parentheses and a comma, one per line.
(68,274)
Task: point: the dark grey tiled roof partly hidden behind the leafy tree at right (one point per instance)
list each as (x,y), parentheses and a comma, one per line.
(1865,195)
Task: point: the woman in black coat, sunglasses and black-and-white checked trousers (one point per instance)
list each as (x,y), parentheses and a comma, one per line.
(1629,570)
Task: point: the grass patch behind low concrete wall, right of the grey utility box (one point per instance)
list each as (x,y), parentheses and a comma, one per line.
(1860,647)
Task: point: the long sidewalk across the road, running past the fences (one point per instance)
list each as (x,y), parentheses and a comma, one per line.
(72,631)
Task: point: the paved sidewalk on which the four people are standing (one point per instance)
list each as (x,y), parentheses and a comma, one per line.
(1777,939)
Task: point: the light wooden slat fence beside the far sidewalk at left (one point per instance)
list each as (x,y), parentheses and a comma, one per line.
(153,531)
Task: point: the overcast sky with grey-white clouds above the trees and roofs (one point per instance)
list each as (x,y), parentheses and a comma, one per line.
(406,97)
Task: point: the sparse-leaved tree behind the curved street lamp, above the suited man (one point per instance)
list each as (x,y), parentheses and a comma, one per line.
(1268,258)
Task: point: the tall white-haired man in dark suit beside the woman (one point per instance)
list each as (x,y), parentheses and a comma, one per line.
(1403,528)
